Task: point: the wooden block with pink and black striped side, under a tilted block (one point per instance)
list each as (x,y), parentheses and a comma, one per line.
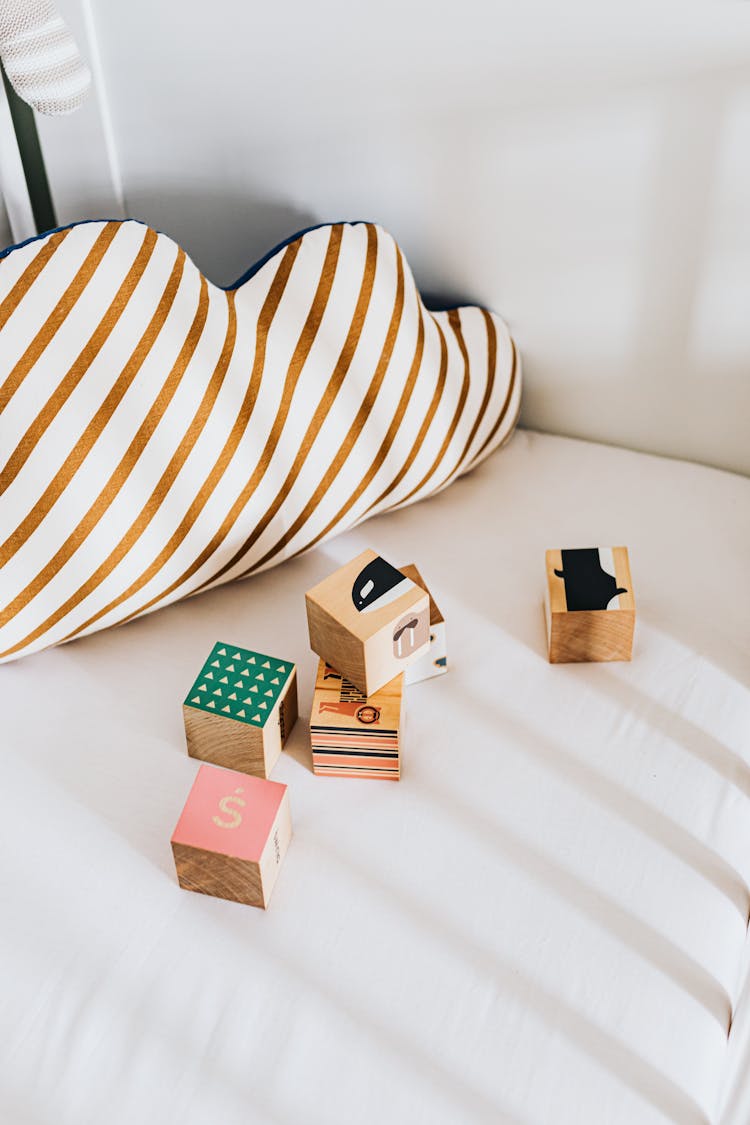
(354,735)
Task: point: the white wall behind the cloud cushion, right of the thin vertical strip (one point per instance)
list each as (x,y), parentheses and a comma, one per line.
(586,175)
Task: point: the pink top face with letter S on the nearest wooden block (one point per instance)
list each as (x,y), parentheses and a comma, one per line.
(229,813)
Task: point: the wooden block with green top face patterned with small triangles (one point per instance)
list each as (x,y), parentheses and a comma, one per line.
(241,709)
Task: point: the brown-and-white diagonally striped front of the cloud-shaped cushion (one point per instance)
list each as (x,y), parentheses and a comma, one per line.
(160,436)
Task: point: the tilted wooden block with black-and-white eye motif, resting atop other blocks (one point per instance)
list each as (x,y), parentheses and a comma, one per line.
(369,622)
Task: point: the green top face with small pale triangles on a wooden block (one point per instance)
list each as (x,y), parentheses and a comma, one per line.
(238,683)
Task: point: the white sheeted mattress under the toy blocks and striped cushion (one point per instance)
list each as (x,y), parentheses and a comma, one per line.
(544,922)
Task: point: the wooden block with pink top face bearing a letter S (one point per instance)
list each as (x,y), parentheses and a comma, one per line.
(232,836)
